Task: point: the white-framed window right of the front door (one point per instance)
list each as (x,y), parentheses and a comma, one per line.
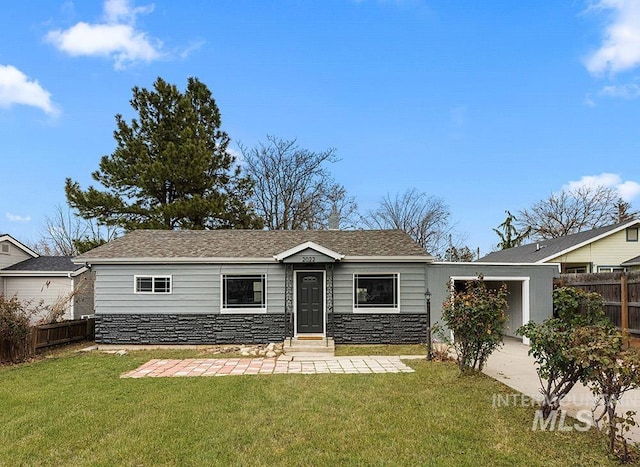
(377,291)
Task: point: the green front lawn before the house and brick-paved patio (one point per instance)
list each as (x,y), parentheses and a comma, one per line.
(73,409)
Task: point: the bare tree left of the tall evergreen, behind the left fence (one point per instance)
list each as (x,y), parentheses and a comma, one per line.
(66,234)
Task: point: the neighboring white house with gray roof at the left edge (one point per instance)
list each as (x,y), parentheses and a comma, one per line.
(44,280)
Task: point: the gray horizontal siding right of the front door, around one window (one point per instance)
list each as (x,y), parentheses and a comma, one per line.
(411,284)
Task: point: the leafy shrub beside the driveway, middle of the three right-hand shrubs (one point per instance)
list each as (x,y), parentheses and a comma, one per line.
(550,342)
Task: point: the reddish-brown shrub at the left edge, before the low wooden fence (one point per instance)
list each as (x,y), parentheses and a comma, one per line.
(15,328)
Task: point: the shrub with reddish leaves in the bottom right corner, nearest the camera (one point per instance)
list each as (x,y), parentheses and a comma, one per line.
(609,370)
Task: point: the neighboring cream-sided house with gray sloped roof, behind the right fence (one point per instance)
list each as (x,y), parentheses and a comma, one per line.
(606,249)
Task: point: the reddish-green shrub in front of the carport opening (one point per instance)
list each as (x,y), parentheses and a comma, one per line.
(477,316)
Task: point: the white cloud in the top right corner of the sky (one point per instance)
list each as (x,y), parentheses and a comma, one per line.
(620,48)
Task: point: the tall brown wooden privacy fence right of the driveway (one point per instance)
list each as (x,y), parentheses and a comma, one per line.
(620,291)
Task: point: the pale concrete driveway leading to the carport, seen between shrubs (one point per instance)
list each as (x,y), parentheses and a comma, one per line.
(512,366)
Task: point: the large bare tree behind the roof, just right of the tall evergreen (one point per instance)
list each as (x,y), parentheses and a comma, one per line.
(293,188)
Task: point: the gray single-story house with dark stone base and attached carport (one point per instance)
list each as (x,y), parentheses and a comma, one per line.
(254,286)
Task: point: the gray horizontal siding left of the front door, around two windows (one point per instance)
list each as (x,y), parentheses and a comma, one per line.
(195,288)
